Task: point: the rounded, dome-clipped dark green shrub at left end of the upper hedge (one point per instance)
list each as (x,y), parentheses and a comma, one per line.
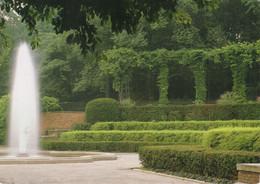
(102,109)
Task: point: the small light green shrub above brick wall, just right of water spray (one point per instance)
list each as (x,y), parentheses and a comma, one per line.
(49,104)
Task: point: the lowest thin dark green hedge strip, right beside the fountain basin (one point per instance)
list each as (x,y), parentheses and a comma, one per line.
(105,146)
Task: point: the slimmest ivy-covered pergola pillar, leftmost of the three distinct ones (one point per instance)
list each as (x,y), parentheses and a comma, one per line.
(163,84)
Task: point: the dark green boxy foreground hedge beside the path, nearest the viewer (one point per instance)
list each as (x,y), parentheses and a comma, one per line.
(196,160)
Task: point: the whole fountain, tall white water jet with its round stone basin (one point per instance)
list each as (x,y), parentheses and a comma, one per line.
(24,115)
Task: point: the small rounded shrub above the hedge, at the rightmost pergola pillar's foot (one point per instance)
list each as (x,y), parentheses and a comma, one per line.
(229,98)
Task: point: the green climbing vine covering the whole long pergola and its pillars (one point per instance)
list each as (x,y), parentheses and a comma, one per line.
(121,63)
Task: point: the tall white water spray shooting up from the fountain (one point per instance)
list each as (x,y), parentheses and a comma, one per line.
(24,106)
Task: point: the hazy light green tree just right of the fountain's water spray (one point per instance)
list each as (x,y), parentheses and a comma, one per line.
(61,65)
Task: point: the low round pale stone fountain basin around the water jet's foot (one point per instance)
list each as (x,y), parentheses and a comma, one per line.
(58,157)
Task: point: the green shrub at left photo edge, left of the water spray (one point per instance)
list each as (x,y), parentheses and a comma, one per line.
(4,105)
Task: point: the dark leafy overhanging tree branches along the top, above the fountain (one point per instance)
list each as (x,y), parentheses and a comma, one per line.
(122,15)
